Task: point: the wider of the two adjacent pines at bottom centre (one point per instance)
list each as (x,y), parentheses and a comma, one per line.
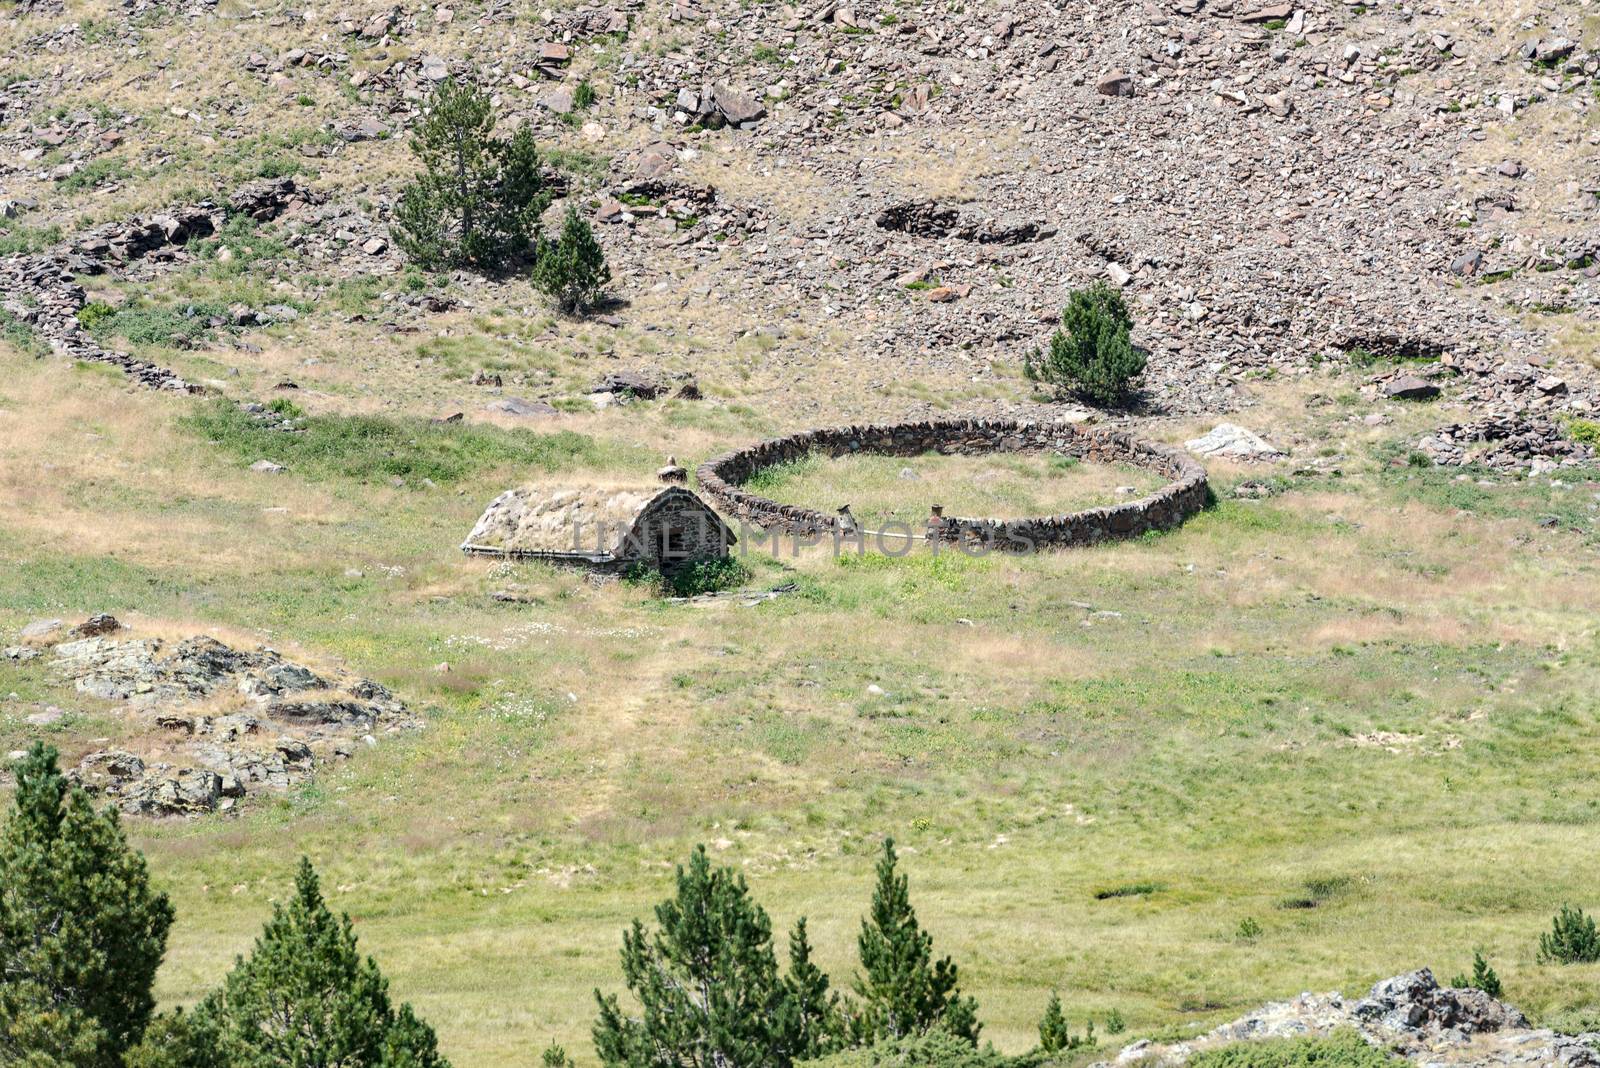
(706,981)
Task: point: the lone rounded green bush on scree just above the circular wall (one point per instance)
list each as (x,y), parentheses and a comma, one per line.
(1092,353)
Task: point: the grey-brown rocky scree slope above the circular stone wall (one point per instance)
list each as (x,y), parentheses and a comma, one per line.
(1274,185)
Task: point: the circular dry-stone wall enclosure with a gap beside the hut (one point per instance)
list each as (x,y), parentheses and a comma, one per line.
(1167,508)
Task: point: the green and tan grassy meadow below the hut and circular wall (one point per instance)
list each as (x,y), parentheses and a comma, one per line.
(1359,714)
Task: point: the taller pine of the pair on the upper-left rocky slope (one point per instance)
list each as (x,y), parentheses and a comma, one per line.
(479,199)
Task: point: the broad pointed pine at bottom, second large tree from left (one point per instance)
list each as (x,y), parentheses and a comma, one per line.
(305,997)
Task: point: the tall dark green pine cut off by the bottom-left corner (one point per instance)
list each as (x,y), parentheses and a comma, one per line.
(81,930)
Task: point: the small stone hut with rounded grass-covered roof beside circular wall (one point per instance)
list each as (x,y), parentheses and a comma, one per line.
(602,528)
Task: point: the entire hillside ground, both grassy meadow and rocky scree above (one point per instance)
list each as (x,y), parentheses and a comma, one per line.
(1335,728)
